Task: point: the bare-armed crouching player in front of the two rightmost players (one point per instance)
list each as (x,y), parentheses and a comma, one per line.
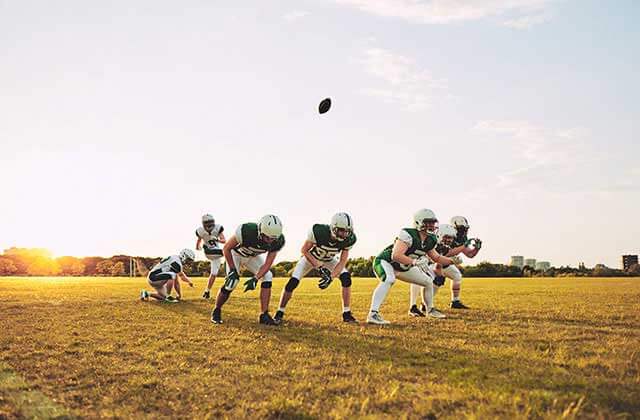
(406,259)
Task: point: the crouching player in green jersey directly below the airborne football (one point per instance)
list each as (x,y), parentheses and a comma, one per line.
(319,251)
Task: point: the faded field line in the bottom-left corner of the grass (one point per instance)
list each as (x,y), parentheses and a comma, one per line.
(28,402)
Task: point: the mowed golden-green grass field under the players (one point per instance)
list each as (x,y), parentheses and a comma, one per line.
(529,348)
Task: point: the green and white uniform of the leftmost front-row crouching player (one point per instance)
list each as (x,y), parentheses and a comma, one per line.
(248,252)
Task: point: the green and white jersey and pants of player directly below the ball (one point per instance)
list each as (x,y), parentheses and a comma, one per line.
(325,249)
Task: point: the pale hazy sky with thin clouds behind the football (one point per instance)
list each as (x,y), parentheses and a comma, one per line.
(122,122)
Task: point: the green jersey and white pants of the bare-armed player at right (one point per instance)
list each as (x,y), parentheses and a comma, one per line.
(388,270)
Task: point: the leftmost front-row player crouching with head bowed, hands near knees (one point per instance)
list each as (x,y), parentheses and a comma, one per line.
(244,249)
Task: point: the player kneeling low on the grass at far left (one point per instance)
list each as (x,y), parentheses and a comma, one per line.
(166,275)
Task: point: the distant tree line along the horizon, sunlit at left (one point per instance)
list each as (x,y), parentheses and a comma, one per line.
(39,262)
